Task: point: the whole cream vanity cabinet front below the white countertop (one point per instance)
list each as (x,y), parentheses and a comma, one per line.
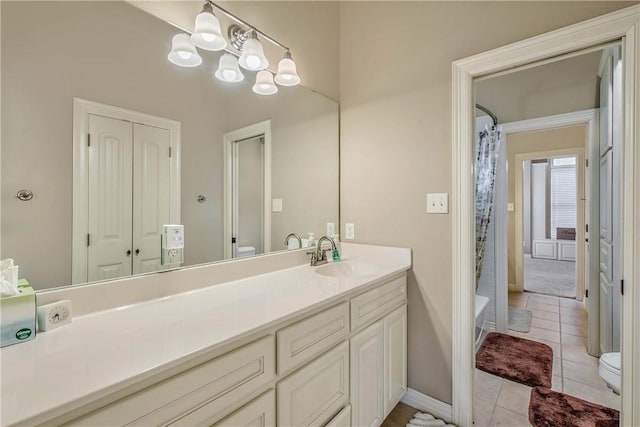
(342,365)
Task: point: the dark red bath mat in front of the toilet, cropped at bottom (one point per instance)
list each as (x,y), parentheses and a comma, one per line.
(548,408)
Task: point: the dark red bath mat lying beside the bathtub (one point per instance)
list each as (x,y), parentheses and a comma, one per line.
(517,359)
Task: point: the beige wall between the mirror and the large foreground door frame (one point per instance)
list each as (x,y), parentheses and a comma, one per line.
(395,95)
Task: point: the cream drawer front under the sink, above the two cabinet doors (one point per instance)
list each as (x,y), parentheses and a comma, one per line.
(374,304)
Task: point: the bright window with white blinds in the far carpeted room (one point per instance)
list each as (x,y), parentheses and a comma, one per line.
(563,194)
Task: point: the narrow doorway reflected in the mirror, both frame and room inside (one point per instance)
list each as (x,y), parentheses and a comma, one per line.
(247,187)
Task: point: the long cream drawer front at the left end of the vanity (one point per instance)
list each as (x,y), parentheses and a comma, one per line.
(221,382)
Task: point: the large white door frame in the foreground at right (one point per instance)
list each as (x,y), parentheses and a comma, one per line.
(624,24)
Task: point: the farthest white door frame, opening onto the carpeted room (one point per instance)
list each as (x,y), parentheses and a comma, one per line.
(519,214)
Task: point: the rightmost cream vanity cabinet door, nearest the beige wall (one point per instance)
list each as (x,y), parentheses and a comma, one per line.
(395,358)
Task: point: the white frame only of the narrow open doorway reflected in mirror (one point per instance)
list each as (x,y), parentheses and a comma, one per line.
(257,129)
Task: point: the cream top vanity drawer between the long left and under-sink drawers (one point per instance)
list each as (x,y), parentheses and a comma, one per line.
(310,337)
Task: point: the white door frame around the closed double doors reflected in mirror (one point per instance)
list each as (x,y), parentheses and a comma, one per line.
(82,108)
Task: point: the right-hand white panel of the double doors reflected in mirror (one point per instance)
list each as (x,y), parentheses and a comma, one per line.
(151,195)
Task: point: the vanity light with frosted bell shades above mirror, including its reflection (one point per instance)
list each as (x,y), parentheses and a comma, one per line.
(246,51)
